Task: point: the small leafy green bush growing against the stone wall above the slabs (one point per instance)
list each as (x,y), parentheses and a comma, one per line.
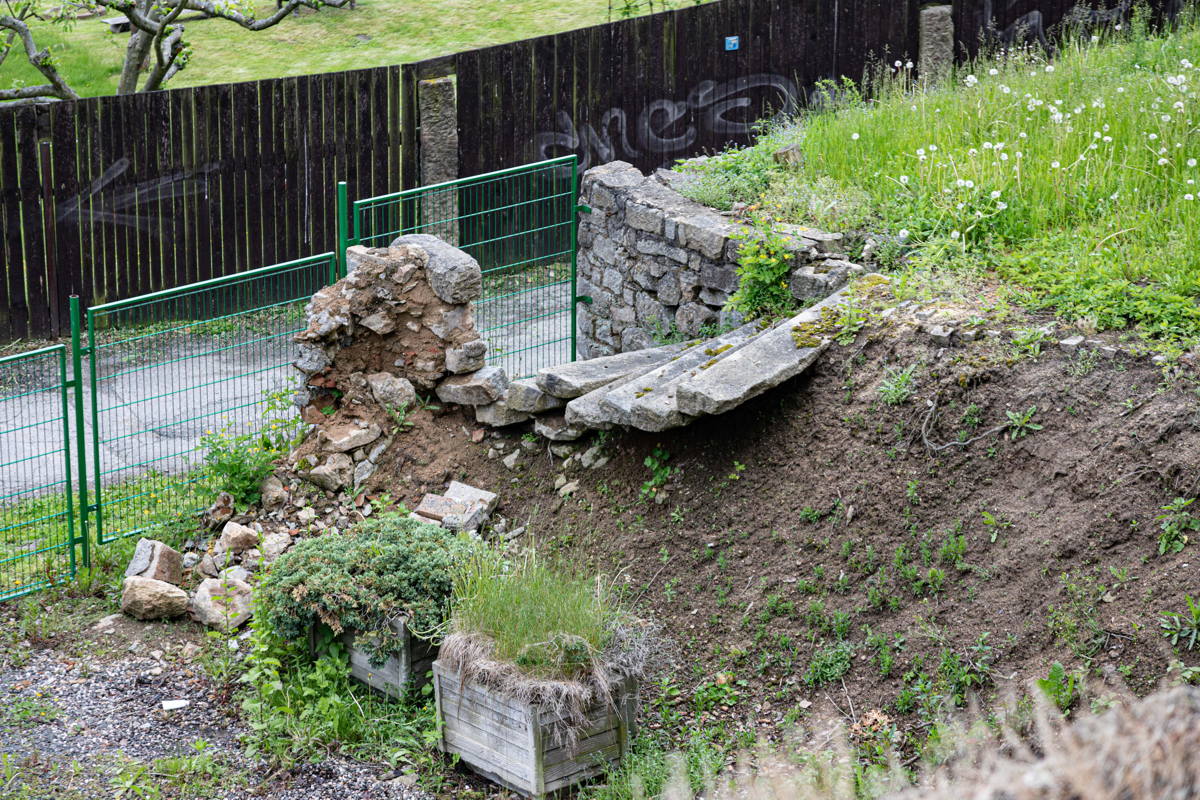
(764,266)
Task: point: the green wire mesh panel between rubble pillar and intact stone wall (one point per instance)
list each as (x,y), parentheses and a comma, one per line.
(520,226)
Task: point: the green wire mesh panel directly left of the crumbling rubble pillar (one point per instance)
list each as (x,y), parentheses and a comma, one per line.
(181,376)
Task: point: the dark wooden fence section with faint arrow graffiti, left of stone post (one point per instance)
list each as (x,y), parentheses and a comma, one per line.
(115,197)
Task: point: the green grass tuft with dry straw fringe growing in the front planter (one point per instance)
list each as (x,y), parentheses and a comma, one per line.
(547,636)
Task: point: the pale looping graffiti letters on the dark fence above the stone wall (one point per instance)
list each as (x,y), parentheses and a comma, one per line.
(653,130)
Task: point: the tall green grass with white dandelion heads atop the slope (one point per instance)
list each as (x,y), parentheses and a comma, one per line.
(1077,179)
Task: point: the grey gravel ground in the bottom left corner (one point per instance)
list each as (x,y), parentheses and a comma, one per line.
(106,713)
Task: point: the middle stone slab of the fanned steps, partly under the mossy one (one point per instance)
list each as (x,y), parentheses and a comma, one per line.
(649,404)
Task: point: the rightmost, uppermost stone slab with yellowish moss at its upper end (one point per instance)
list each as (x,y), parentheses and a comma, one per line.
(763,364)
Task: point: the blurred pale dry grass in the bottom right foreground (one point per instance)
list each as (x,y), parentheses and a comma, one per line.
(1143,750)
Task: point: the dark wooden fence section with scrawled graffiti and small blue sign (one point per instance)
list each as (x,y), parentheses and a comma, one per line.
(653,89)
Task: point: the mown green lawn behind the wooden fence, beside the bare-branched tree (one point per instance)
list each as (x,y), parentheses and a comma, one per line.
(375,34)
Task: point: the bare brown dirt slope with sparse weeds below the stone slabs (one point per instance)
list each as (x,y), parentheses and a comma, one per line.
(819,512)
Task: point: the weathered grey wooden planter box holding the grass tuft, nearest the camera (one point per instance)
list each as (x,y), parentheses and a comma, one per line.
(511,743)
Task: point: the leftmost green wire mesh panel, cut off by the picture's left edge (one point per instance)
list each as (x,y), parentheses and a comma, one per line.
(38,527)
